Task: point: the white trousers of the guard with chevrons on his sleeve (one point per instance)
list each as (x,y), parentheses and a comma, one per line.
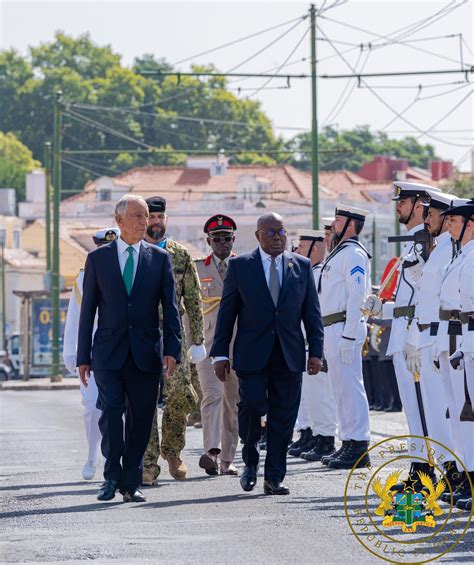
(352,408)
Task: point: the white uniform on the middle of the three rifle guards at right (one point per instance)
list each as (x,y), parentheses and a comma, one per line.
(426,312)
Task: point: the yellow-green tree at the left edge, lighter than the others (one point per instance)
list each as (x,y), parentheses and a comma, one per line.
(15,161)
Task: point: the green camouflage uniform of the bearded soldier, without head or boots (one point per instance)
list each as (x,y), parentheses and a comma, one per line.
(180,393)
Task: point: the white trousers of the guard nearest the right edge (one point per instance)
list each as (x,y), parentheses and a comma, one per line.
(463,432)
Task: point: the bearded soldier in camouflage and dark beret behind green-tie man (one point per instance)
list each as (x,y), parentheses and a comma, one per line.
(180,395)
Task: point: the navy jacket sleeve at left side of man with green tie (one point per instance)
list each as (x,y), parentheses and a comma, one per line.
(90,300)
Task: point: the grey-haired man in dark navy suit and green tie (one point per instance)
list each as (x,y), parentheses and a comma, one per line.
(124,284)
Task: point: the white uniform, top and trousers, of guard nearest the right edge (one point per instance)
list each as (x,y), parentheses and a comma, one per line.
(463,432)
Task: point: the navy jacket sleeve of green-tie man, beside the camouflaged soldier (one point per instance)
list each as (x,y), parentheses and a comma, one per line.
(171,317)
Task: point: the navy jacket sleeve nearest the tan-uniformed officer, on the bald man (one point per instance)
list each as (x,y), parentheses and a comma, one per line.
(228,311)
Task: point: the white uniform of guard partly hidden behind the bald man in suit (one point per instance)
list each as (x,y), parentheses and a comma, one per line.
(317,406)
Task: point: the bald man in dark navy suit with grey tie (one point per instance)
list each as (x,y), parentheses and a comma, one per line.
(270,292)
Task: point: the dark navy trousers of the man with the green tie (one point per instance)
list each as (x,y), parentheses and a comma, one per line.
(133,392)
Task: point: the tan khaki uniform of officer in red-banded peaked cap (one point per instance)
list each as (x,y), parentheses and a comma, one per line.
(219,400)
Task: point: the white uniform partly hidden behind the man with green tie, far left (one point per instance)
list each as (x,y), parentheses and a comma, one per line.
(88,395)
